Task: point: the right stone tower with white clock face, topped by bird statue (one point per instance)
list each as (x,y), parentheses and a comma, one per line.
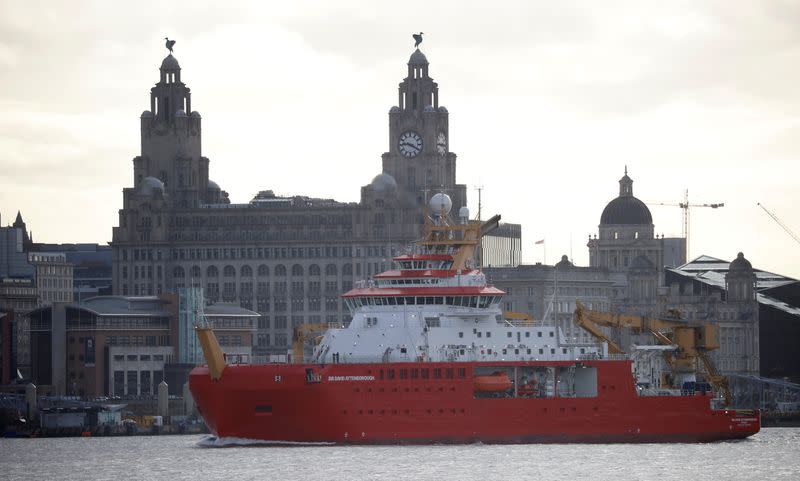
(419,156)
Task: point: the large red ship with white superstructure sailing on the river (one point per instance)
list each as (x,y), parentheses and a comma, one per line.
(429,357)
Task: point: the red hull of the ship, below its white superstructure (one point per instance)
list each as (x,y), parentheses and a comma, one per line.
(352,404)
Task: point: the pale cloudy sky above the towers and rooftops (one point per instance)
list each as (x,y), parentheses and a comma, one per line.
(548,102)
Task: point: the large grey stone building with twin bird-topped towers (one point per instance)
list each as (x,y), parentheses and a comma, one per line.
(286,257)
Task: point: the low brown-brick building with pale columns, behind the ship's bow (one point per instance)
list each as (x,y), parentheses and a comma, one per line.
(123,345)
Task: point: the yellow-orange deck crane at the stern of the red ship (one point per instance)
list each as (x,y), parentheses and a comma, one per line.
(692,340)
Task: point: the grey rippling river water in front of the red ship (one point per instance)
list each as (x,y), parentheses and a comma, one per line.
(774,453)
